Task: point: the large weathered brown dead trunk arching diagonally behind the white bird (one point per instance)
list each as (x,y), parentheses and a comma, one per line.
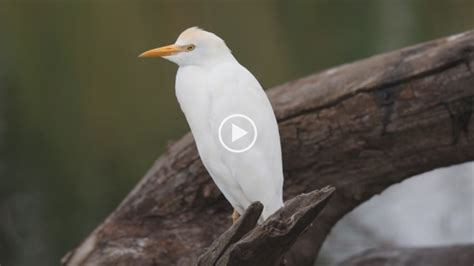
(360,127)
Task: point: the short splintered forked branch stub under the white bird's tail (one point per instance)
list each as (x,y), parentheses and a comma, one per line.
(265,244)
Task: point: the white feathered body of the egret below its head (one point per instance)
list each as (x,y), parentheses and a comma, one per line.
(255,175)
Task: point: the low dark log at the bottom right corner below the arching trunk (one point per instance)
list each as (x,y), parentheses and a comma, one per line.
(459,255)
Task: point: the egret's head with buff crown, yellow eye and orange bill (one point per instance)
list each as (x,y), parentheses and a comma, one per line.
(194,46)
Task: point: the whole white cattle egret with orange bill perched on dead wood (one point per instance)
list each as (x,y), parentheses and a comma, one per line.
(211,86)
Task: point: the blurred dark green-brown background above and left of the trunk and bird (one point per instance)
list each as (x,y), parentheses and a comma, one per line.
(82,118)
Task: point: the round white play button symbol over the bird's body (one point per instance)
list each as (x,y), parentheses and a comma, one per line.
(237,133)
